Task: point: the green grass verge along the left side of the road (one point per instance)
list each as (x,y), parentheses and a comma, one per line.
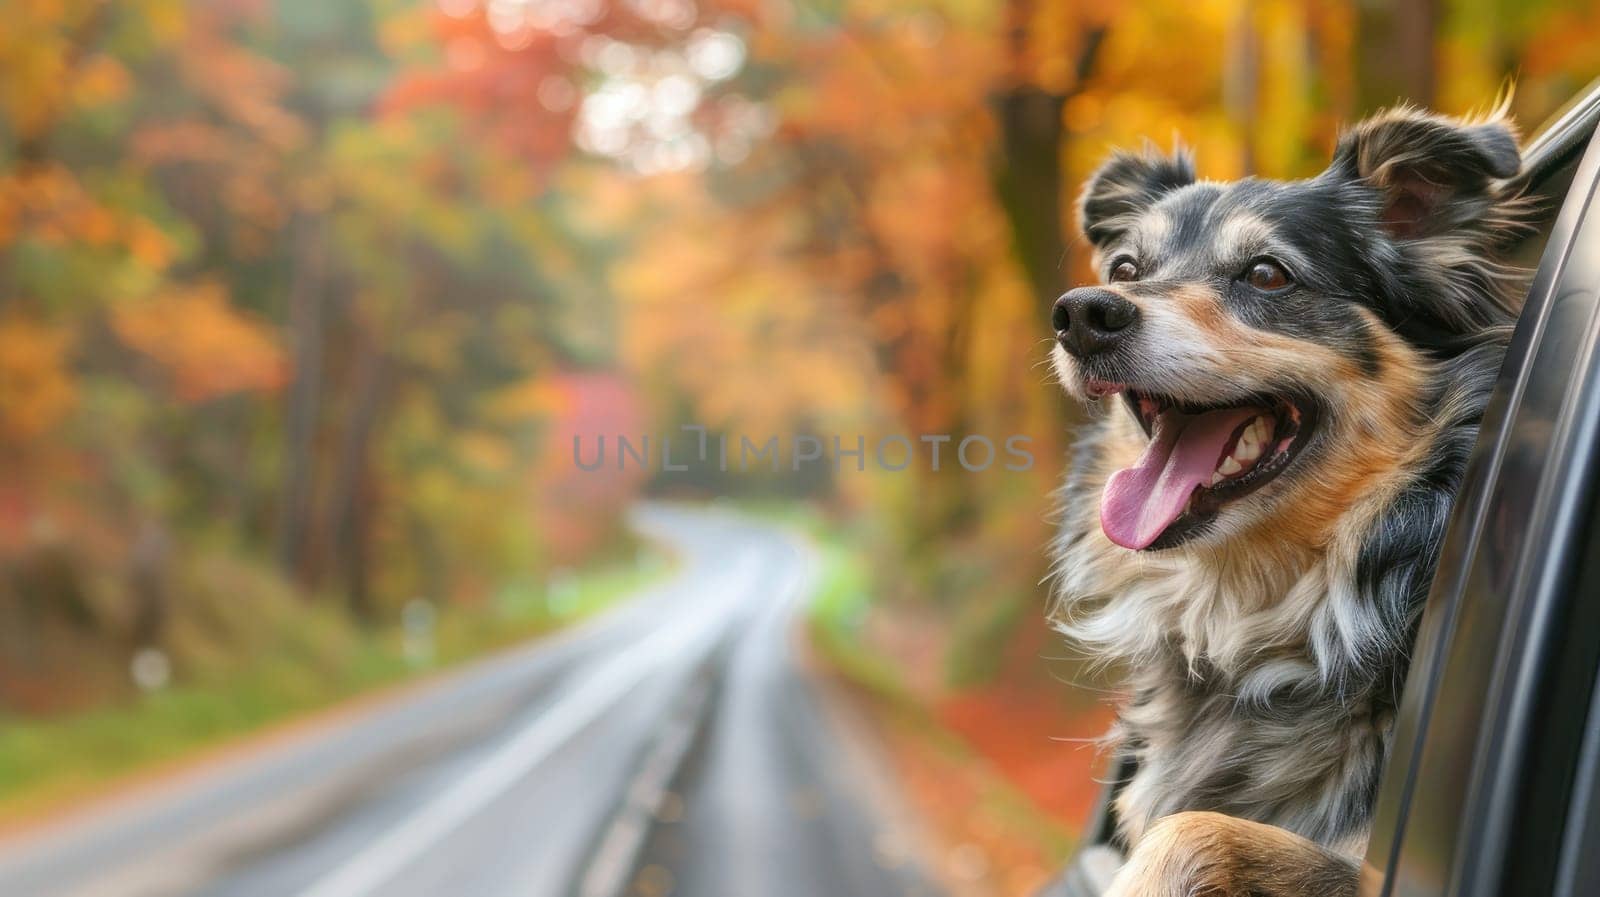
(311,660)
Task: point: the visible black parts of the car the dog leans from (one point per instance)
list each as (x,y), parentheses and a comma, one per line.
(1497,757)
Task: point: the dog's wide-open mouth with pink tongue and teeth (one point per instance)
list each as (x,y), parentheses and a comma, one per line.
(1199,460)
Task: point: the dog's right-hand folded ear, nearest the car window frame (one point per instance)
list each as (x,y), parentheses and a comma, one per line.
(1434,173)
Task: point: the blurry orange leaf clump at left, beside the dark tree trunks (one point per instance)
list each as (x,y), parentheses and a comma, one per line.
(206,346)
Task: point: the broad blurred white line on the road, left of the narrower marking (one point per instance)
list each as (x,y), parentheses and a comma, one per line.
(537,741)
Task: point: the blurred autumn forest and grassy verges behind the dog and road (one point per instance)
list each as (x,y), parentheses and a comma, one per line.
(305,303)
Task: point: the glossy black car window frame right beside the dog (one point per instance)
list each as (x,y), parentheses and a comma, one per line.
(1489,636)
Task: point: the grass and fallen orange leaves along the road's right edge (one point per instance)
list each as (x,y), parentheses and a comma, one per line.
(967,800)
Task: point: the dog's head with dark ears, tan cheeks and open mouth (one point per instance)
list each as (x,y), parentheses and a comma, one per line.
(1276,343)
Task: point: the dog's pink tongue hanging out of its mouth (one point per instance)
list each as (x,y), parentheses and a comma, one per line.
(1145,500)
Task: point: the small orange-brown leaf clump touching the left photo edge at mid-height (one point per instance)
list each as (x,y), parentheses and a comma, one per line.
(36,388)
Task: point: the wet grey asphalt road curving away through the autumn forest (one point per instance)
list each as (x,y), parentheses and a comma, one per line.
(671,747)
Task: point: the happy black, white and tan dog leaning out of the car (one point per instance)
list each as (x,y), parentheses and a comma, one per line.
(1289,378)
